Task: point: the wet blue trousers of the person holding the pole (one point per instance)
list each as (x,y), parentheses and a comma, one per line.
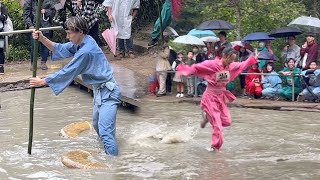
(104,119)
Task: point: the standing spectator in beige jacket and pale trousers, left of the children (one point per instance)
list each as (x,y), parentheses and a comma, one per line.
(162,67)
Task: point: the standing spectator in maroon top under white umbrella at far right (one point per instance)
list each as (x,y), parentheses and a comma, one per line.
(309,51)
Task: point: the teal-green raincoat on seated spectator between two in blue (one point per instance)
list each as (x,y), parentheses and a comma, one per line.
(286,92)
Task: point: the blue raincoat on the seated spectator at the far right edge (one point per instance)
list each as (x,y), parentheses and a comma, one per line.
(313,80)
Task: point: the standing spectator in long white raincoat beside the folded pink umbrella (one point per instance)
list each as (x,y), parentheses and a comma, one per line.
(122,13)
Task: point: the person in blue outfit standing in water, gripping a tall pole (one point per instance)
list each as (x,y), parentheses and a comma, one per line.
(91,63)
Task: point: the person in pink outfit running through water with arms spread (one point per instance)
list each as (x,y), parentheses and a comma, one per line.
(218,74)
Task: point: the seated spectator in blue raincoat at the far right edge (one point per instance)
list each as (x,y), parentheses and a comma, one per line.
(312,79)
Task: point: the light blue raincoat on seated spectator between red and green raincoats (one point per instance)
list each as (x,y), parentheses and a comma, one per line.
(271,84)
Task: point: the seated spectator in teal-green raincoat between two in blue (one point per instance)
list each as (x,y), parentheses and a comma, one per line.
(286,91)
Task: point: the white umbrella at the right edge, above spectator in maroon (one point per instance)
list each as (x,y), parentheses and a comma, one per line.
(306,23)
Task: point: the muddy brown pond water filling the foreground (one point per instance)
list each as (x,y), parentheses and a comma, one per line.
(260,144)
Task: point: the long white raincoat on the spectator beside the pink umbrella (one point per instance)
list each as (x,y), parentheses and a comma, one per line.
(122,15)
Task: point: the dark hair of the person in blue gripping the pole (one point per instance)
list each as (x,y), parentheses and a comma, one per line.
(77,24)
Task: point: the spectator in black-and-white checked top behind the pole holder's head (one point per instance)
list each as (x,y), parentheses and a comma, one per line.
(87,10)
